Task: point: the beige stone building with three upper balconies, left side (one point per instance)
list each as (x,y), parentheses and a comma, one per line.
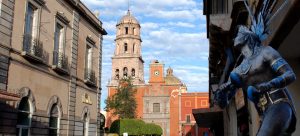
(50,62)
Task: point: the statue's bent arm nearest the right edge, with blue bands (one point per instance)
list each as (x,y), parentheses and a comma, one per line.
(284,72)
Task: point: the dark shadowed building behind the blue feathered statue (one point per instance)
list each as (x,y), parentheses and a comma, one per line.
(240,117)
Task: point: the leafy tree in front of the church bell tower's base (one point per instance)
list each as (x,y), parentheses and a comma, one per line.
(123,103)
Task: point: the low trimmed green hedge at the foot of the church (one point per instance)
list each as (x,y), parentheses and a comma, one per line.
(135,127)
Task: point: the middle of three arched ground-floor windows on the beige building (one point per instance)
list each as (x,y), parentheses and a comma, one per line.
(54,121)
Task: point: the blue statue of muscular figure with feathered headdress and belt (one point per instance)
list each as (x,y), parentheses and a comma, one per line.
(263,75)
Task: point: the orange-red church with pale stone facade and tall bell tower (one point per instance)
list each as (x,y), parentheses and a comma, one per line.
(164,99)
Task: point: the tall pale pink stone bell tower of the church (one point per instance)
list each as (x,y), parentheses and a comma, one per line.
(127,59)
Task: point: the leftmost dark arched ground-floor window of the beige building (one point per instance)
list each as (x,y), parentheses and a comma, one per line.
(24,117)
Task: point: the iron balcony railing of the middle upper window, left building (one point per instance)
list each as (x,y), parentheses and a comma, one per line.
(60,62)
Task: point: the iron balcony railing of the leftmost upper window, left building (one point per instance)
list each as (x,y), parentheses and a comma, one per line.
(33,49)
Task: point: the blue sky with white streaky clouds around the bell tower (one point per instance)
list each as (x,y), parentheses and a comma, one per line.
(173,32)
